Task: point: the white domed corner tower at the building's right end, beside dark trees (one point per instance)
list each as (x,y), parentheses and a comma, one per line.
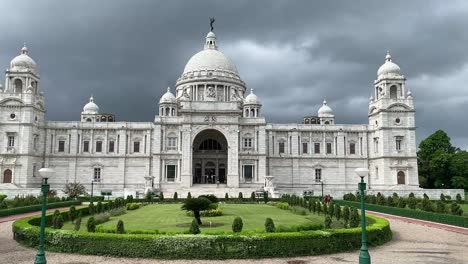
(392,130)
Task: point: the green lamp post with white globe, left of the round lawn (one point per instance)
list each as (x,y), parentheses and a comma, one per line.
(45,173)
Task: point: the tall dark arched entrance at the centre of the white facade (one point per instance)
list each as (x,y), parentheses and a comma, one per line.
(209,158)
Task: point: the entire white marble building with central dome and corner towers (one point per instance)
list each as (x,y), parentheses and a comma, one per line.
(209,136)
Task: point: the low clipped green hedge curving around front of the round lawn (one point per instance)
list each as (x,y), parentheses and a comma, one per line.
(185,246)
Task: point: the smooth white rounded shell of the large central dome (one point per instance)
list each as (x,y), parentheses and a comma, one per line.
(210,59)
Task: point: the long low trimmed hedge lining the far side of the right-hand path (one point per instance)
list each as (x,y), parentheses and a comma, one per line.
(411,213)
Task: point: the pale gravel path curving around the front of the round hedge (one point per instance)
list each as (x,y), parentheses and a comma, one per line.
(412,243)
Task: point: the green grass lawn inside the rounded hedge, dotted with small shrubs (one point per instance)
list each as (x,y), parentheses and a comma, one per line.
(167,217)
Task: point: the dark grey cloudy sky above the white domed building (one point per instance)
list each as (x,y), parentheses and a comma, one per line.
(293,53)
